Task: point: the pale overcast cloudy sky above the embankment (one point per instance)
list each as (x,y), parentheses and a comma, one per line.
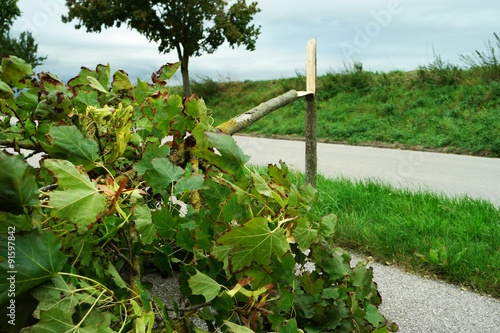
(384,35)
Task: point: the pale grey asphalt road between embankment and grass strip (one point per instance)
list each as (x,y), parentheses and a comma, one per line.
(453,175)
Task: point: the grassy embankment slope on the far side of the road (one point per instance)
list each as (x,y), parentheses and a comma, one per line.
(436,108)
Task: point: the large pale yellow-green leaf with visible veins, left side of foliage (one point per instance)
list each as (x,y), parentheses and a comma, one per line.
(77,199)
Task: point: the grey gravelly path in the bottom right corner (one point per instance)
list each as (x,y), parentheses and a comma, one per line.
(418,304)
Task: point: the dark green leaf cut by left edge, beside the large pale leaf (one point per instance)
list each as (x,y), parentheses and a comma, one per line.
(19,188)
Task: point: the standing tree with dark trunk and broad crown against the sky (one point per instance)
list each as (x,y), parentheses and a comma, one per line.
(190,27)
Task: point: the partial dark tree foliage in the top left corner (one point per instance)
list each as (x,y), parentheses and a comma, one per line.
(24,47)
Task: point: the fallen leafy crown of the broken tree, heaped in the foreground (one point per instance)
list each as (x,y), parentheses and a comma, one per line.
(135,178)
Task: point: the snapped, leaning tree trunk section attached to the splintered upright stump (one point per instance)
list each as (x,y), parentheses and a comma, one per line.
(244,120)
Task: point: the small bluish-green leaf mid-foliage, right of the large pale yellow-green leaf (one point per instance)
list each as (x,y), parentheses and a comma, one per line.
(163,173)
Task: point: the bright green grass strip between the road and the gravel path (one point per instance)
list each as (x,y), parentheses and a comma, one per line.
(457,240)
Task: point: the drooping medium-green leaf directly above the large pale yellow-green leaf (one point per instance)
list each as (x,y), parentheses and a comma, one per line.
(68,143)
